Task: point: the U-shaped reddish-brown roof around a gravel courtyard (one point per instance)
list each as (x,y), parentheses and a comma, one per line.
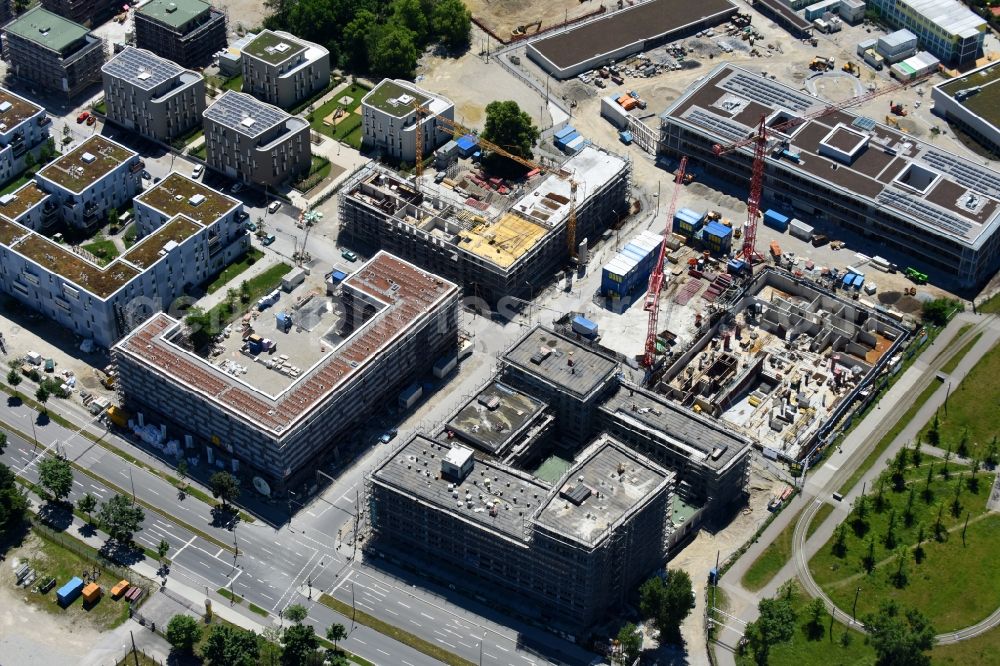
(409,294)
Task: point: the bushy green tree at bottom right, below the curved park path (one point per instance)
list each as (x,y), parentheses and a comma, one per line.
(900,638)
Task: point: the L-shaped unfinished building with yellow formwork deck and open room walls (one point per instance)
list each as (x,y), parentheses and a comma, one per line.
(506,246)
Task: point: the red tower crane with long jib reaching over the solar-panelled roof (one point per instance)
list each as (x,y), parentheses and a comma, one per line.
(759,140)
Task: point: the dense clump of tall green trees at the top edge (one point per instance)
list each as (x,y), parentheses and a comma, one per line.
(382,37)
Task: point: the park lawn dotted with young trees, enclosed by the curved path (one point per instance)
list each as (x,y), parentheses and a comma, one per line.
(955,585)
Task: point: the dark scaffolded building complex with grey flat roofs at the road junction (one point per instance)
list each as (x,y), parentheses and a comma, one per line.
(557,458)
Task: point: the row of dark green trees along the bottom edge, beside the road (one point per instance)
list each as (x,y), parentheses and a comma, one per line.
(294,645)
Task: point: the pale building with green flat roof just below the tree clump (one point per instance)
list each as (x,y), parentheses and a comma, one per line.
(282,70)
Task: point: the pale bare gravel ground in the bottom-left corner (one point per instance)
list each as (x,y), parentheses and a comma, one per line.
(26,632)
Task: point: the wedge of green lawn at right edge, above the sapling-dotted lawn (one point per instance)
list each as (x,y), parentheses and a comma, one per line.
(972,407)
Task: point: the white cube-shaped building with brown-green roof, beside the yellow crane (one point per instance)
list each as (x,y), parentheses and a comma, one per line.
(389,119)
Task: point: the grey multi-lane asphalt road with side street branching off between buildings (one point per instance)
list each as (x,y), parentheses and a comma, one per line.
(274,567)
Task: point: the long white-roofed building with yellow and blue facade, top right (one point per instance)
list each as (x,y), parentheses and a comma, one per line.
(946,28)
